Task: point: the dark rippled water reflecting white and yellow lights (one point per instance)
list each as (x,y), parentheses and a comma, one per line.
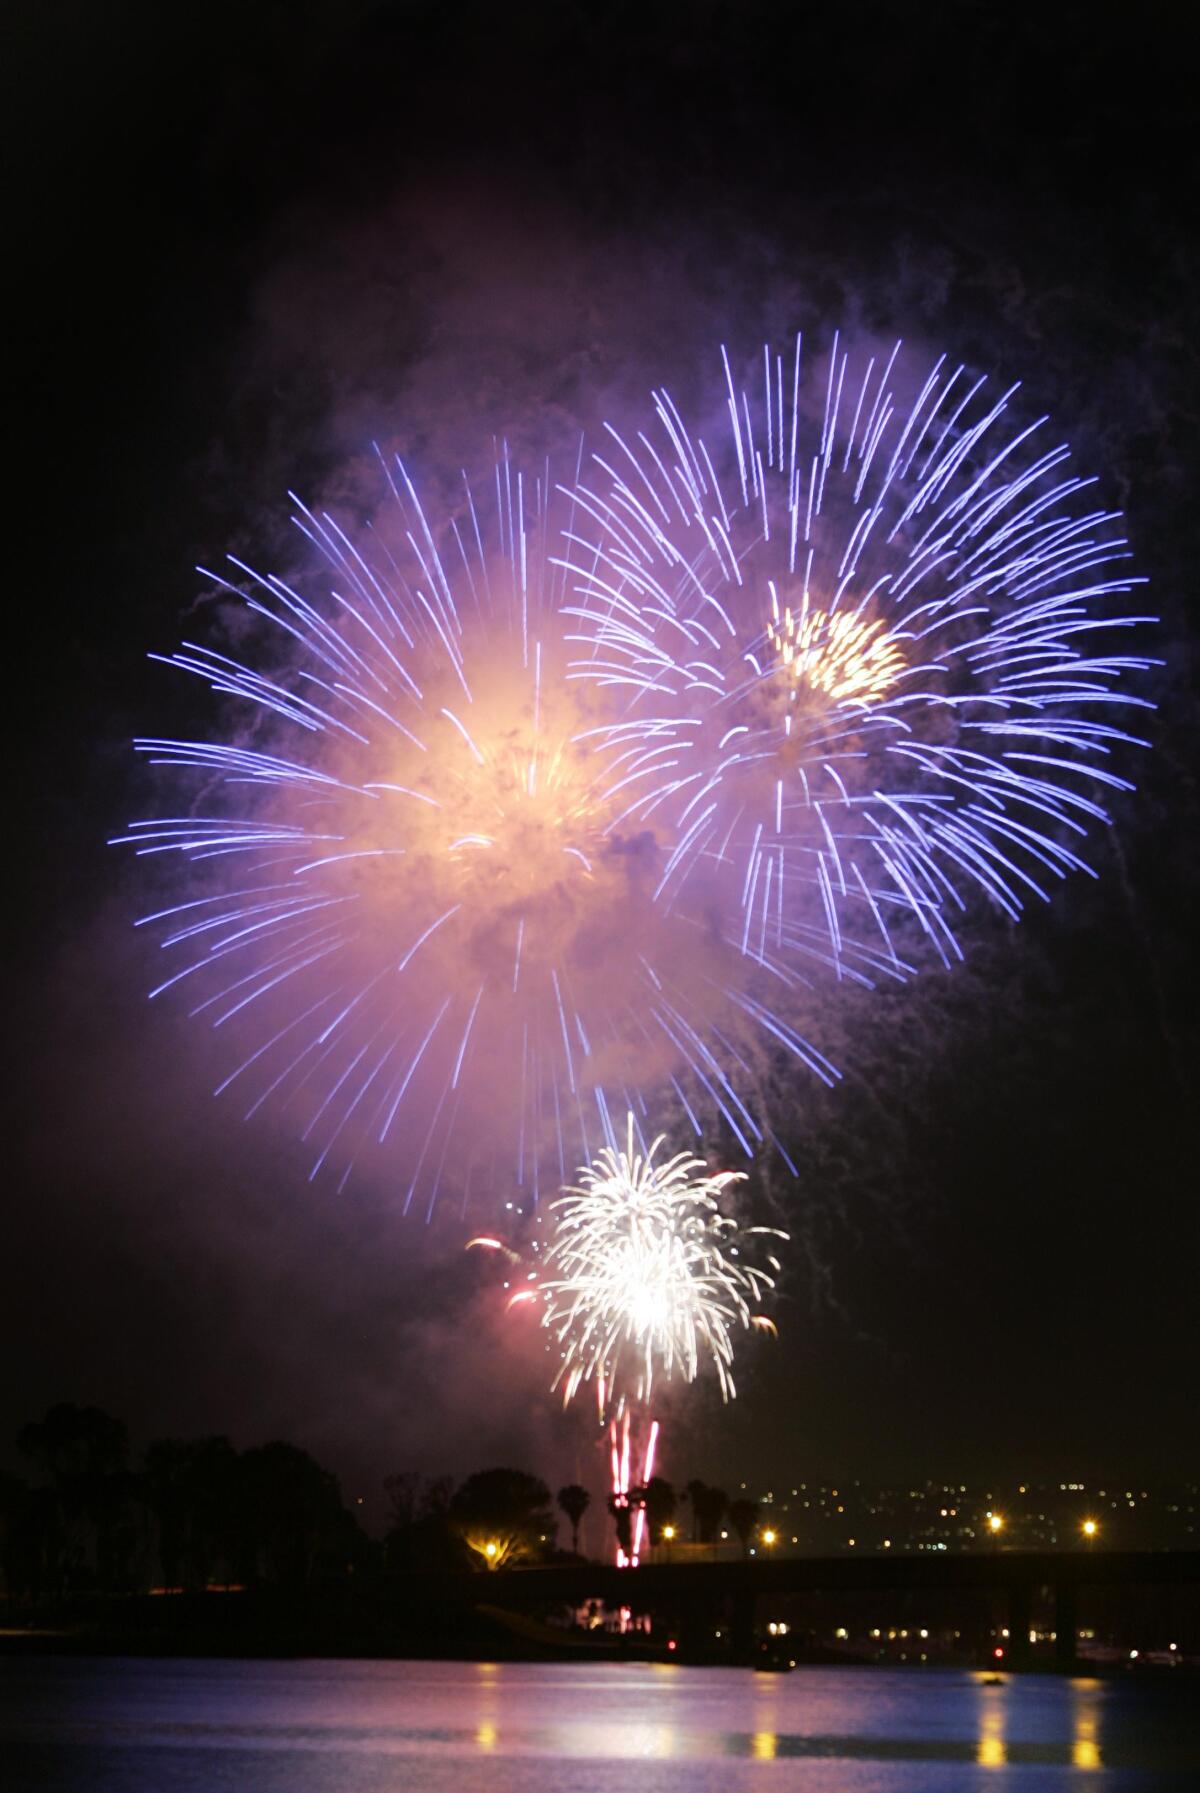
(388,1728)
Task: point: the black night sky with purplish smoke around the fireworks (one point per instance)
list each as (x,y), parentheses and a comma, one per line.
(248,241)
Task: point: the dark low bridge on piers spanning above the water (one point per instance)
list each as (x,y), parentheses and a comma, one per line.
(740,1586)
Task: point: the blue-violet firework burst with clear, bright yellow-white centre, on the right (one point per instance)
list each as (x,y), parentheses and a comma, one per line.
(871,650)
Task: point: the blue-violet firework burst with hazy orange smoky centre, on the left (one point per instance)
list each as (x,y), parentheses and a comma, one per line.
(401,888)
